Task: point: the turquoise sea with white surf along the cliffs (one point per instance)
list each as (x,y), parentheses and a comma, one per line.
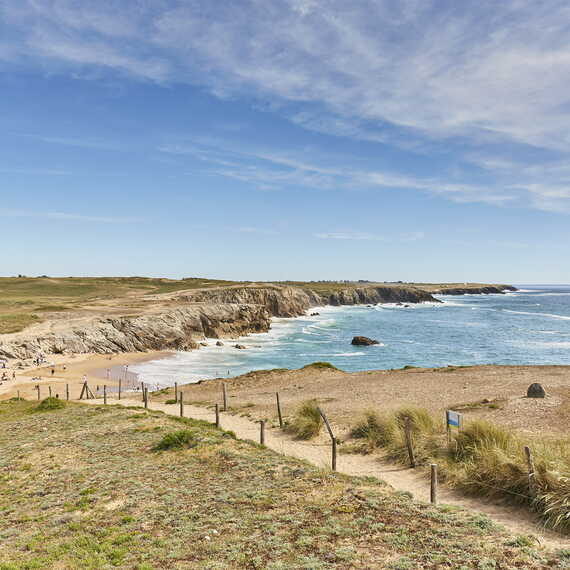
(531,326)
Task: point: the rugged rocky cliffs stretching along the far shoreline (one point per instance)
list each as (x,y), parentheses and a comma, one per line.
(178,321)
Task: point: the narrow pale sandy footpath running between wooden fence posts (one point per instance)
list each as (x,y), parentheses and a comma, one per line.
(516,520)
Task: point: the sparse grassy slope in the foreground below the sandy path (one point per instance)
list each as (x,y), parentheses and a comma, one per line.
(102,487)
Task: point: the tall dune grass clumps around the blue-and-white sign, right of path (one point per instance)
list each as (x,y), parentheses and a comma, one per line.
(482,459)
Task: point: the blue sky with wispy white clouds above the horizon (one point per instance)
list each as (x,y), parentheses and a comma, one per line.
(410,140)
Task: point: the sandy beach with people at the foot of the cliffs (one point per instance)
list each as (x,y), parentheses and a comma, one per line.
(70,370)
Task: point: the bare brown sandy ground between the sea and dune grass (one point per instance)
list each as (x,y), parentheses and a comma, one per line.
(345,396)
